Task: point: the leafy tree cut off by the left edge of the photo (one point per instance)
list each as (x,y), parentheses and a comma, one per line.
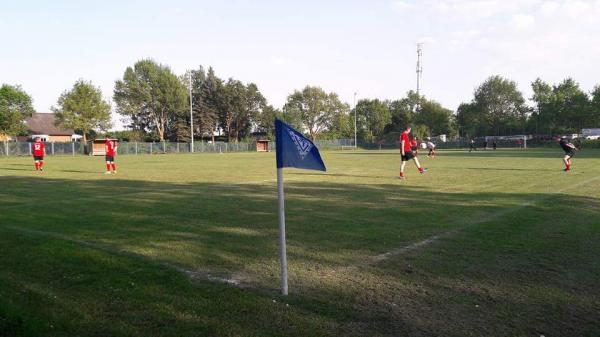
(15,106)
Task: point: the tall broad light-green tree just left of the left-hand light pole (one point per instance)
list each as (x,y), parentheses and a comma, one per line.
(151,96)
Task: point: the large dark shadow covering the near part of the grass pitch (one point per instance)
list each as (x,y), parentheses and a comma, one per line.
(231,230)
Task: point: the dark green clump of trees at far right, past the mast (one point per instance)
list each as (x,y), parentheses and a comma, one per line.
(499,108)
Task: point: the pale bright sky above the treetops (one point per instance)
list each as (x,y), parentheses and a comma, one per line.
(345,46)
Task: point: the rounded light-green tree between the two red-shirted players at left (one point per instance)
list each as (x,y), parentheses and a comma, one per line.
(83,108)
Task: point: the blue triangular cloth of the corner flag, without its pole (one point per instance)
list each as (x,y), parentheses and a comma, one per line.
(294,150)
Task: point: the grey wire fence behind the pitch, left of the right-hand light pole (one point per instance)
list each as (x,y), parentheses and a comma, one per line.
(139,148)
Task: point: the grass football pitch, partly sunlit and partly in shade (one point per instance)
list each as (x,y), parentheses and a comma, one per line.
(485,244)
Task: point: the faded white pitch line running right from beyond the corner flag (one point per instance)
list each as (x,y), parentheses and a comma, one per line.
(450,233)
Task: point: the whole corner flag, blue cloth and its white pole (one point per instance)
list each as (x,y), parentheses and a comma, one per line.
(292,150)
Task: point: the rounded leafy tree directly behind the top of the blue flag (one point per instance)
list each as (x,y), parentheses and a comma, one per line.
(314,109)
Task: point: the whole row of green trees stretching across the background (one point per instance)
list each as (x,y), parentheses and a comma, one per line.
(155,105)
